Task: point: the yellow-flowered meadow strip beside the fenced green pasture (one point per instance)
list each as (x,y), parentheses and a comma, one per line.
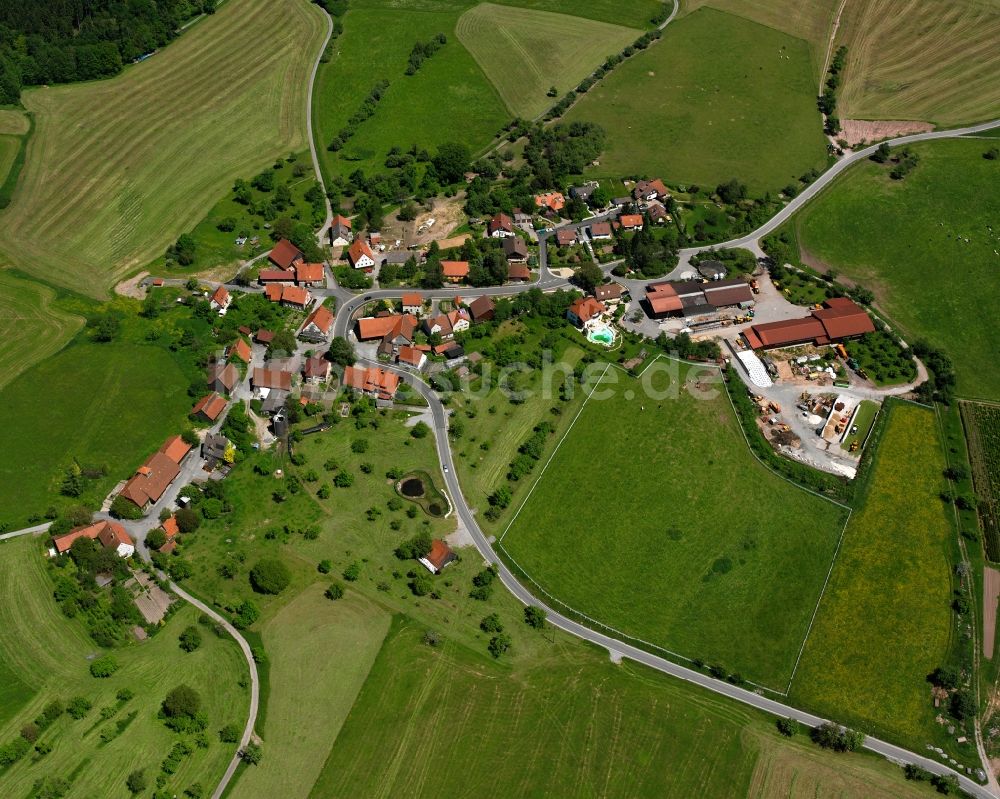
(885,621)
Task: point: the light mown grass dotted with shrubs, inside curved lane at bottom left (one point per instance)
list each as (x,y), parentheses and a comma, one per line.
(47,656)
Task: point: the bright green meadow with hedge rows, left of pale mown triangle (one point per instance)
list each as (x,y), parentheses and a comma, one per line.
(448,99)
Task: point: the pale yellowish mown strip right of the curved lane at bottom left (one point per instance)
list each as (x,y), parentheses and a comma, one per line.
(313,687)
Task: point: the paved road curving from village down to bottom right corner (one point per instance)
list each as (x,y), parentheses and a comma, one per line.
(440,419)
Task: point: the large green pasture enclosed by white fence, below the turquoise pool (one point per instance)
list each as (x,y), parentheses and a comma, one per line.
(653,517)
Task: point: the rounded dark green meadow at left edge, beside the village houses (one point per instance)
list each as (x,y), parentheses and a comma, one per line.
(105,404)
